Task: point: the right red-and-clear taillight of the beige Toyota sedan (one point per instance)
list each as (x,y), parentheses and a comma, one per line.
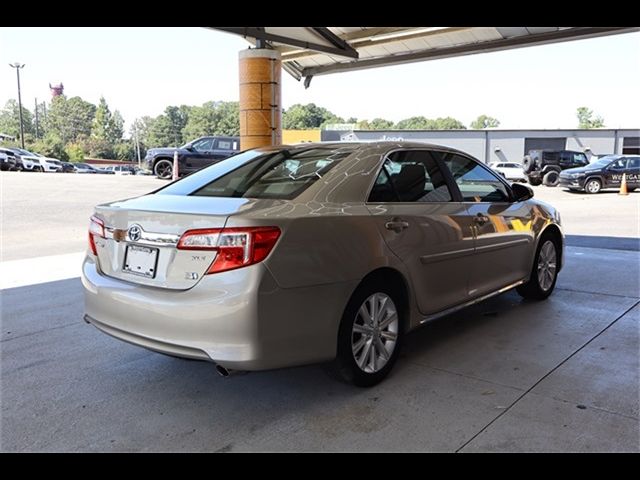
(235,247)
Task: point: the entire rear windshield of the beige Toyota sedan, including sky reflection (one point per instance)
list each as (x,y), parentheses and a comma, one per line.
(279,175)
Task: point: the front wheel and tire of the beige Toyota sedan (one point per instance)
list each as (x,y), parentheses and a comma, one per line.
(544,273)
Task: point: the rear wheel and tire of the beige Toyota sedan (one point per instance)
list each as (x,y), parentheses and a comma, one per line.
(370,335)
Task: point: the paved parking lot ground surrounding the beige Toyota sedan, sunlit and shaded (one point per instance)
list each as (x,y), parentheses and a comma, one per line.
(504,375)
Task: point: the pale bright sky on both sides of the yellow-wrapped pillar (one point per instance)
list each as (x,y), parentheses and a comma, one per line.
(140,71)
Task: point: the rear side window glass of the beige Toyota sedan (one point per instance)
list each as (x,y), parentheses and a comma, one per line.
(410,176)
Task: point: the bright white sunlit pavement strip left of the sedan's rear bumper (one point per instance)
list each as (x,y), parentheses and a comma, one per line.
(32,271)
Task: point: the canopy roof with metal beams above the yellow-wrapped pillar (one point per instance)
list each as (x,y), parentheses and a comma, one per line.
(309,51)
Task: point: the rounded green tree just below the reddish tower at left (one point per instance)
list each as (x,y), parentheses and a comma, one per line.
(70,119)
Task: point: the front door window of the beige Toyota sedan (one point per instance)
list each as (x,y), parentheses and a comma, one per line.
(475,182)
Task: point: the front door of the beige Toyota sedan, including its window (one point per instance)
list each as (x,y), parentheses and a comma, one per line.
(503,229)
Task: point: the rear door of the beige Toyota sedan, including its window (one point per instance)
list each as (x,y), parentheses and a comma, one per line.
(421,223)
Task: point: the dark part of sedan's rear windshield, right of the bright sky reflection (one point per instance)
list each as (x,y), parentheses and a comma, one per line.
(280,175)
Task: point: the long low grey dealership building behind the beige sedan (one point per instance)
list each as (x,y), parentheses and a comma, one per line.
(510,145)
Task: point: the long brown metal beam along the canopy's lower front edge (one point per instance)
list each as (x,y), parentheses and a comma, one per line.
(487,46)
